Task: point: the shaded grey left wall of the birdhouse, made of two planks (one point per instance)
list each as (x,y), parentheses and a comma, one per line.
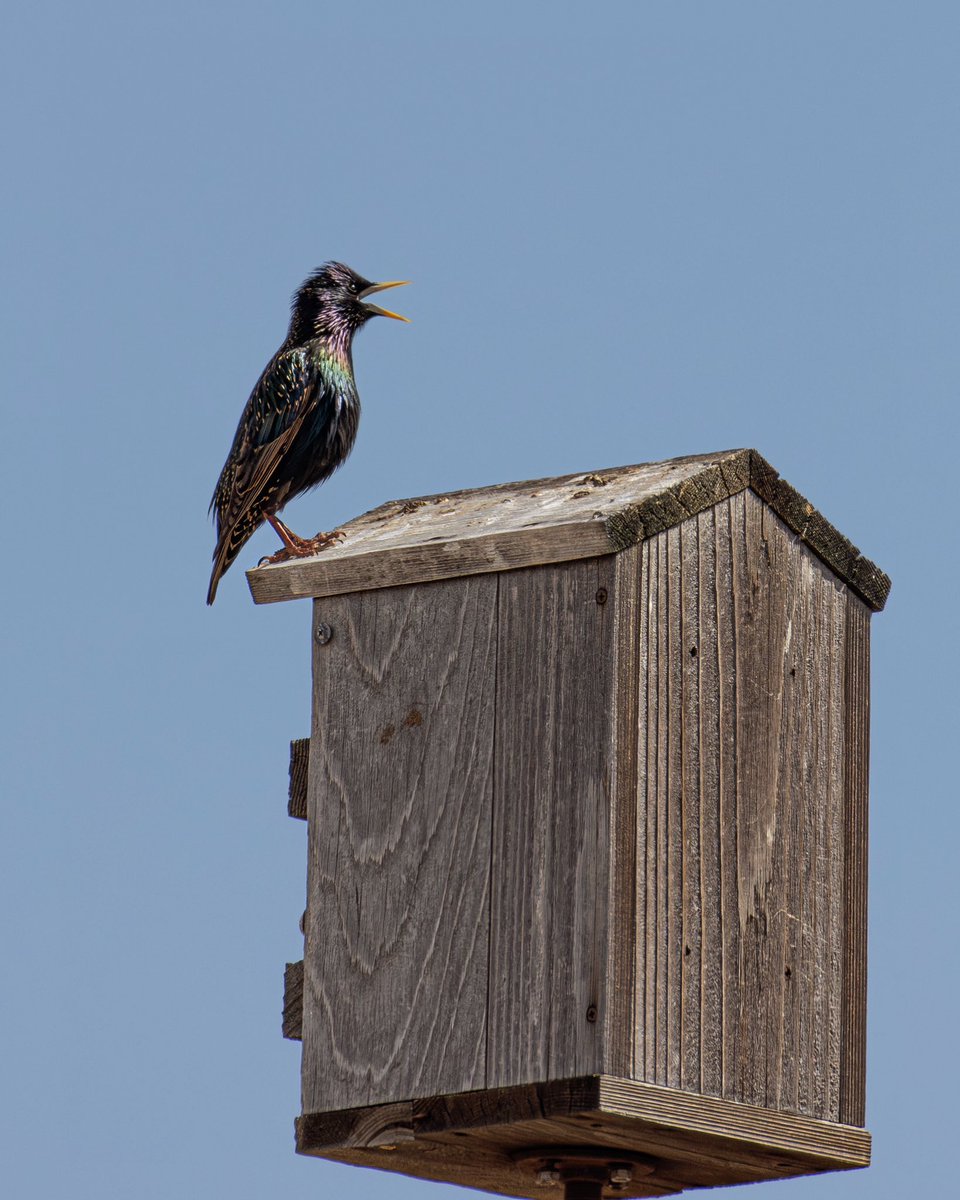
(460,820)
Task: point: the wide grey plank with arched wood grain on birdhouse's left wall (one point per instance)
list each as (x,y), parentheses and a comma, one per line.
(400,829)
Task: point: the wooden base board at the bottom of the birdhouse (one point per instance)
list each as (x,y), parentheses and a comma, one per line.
(485,1139)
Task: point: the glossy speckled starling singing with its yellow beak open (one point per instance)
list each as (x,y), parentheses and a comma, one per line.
(301,421)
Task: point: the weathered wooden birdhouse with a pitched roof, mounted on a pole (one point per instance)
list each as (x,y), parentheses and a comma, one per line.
(586,797)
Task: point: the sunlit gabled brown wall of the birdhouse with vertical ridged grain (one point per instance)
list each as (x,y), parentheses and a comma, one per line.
(742,898)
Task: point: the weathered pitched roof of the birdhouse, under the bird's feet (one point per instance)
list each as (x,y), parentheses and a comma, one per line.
(551,521)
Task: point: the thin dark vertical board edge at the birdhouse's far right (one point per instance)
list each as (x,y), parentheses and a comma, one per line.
(856,772)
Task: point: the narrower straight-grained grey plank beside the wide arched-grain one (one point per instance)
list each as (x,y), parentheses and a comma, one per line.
(551,827)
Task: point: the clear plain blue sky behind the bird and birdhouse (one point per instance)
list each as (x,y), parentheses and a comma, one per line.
(637,231)
